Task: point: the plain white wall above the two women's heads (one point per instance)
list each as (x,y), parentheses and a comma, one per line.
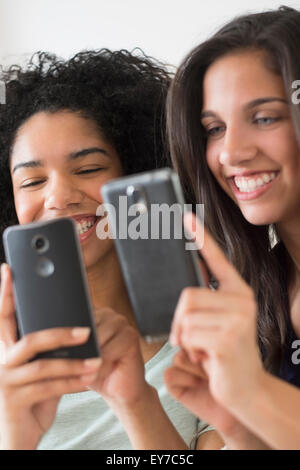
(165,29)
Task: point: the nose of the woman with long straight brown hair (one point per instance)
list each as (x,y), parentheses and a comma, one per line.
(238,147)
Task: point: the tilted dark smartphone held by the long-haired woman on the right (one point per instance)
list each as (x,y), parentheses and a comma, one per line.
(155,262)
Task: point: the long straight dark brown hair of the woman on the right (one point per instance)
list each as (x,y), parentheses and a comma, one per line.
(246,245)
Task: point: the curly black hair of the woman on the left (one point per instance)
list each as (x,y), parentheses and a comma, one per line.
(123,92)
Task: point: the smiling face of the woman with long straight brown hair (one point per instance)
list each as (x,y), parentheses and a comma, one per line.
(251,144)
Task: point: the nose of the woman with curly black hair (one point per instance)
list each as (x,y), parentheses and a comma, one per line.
(61,193)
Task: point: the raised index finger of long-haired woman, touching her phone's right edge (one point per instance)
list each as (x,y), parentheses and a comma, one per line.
(228,277)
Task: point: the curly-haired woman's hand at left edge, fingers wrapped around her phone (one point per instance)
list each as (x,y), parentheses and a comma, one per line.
(30,390)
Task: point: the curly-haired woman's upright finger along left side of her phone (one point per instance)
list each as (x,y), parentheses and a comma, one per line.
(8,323)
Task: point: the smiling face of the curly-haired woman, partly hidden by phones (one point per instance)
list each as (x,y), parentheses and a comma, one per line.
(59,161)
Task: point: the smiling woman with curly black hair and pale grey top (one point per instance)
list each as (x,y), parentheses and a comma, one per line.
(67,128)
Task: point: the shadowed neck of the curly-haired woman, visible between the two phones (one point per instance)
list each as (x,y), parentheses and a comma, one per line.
(107,287)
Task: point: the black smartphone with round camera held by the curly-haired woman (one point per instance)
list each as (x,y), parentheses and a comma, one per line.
(50,284)
